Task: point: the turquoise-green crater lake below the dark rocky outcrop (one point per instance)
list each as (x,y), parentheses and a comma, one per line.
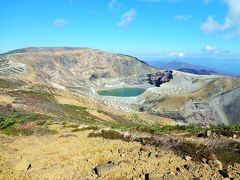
(122,92)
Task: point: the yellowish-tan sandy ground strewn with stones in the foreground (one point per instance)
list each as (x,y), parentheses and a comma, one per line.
(86,154)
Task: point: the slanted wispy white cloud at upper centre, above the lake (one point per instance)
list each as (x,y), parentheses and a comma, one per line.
(127,18)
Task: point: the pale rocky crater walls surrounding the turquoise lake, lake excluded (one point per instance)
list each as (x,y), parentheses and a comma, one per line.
(184,97)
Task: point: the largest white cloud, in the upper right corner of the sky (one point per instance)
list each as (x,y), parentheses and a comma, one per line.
(231,21)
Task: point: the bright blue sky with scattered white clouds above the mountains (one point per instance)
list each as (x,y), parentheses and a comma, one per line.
(157,28)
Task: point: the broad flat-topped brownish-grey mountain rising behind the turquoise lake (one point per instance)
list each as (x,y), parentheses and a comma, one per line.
(70,66)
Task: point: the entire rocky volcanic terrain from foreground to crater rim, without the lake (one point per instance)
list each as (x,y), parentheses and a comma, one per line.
(55,125)
